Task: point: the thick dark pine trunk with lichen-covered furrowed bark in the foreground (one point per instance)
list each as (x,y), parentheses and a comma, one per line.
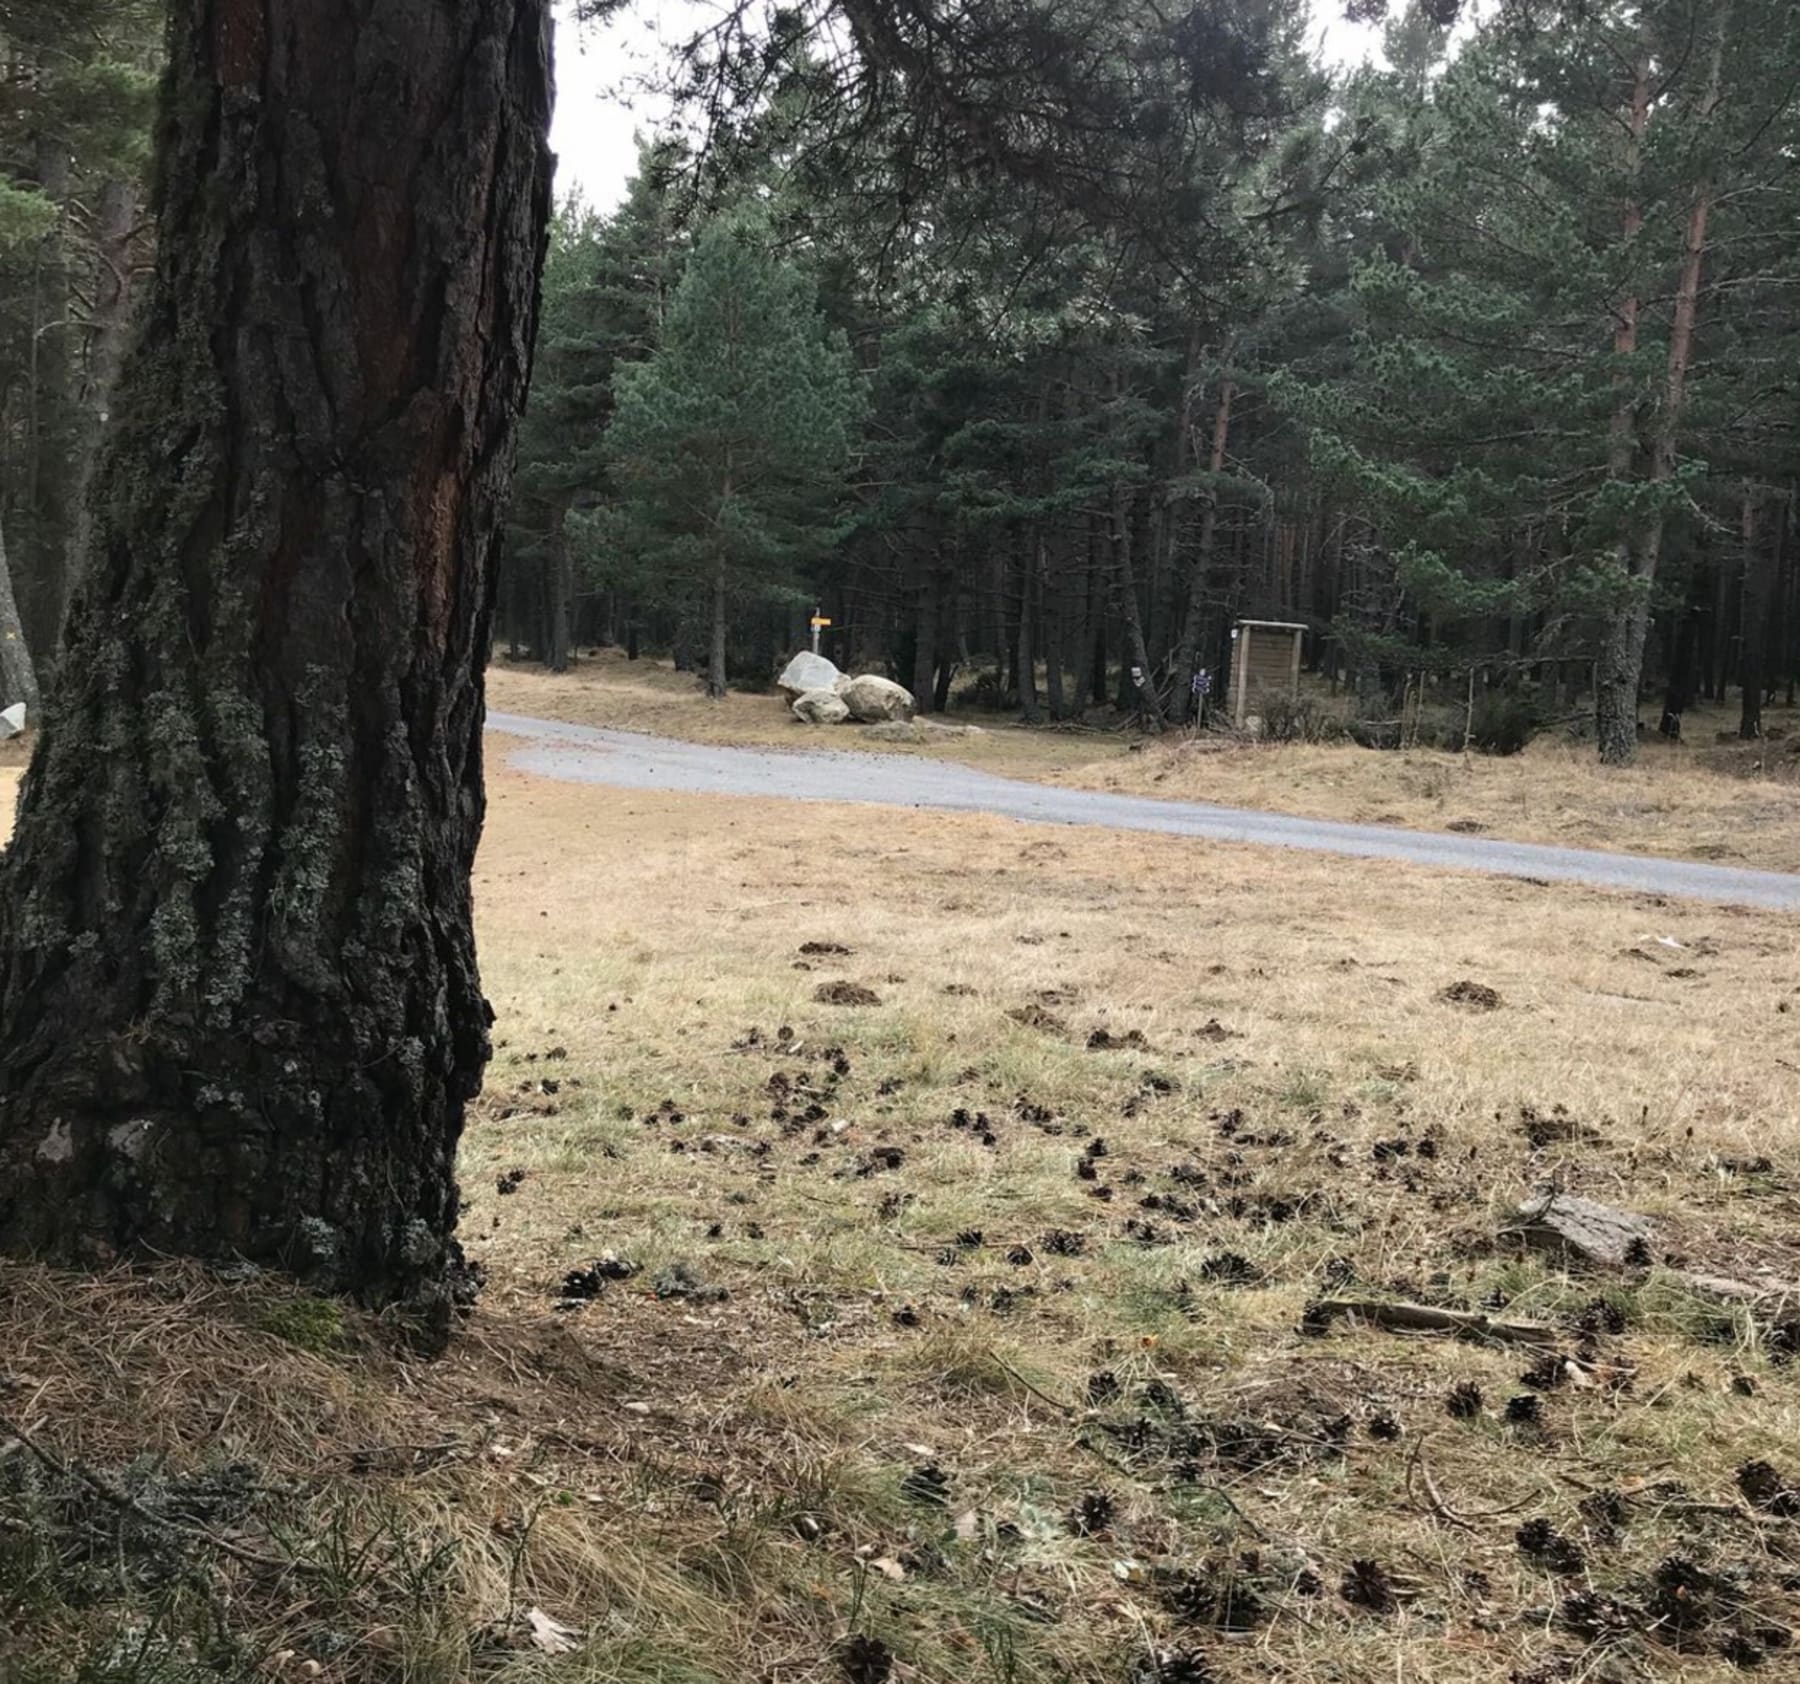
(238,998)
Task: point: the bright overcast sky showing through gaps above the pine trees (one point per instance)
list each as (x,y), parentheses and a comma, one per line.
(598,112)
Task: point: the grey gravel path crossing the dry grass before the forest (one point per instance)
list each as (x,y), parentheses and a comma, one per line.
(633,762)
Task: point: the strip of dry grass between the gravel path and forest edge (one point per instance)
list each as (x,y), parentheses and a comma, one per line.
(1705,800)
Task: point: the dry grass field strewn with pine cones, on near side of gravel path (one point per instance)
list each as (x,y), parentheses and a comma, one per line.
(906,1241)
